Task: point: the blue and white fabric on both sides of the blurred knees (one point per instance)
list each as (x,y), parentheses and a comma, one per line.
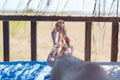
(35,70)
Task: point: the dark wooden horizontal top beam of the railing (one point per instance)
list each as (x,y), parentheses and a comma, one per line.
(55,18)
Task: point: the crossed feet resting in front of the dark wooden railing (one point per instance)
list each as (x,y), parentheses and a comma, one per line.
(61,43)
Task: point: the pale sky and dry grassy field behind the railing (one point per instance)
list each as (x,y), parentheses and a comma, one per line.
(20,30)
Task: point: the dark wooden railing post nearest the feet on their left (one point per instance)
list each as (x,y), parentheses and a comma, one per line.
(33,40)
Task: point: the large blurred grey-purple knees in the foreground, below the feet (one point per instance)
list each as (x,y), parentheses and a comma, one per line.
(71,68)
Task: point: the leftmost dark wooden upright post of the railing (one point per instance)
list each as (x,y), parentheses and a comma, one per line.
(6,40)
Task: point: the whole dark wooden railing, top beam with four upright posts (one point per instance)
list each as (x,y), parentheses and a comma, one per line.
(88,22)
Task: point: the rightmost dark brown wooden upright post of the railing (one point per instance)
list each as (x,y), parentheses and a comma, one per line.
(114,42)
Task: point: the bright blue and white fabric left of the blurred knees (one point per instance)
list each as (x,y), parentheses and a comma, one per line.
(24,70)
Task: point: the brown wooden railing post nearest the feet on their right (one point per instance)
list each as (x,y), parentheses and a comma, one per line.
(88,41)
